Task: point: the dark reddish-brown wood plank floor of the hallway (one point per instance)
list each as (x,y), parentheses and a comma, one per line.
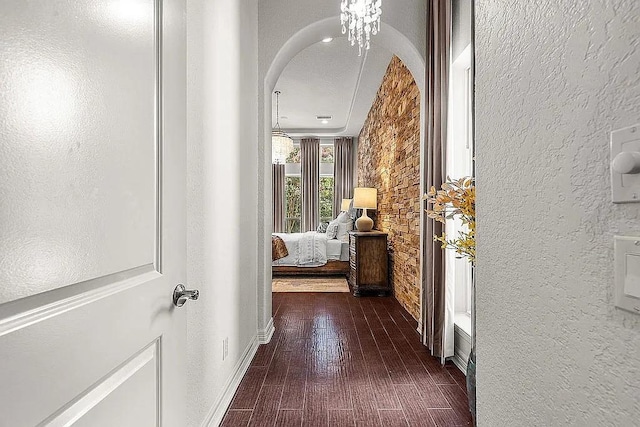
(336,360)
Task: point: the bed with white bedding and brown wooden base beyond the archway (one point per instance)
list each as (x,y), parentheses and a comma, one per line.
(312,253)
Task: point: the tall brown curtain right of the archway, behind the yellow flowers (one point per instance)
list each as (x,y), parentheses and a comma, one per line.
(437,303)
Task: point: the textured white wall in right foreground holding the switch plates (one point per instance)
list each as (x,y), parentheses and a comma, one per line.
(553,79)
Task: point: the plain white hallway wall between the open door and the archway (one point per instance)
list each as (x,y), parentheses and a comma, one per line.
(222,204)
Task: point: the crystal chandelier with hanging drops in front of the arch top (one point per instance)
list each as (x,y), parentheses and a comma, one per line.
(362,18)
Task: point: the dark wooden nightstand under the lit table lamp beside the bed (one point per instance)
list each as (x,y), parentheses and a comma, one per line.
(368,261)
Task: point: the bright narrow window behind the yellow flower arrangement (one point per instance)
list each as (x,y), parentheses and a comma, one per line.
(459,164)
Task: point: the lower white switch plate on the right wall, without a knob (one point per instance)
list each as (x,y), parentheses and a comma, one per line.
(627,272)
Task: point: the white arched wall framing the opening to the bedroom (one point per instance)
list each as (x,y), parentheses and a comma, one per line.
(281,20)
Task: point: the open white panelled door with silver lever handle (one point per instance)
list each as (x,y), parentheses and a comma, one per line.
(92,212)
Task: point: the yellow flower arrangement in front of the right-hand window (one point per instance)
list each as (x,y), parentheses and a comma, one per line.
(457,197)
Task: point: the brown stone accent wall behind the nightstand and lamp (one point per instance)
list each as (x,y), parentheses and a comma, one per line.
(389,160)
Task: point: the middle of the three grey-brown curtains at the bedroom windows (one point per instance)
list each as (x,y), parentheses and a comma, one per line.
(310,169)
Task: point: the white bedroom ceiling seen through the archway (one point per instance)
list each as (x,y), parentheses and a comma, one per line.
(329,79)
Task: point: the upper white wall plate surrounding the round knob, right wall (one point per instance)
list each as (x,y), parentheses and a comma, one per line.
(625,188)
